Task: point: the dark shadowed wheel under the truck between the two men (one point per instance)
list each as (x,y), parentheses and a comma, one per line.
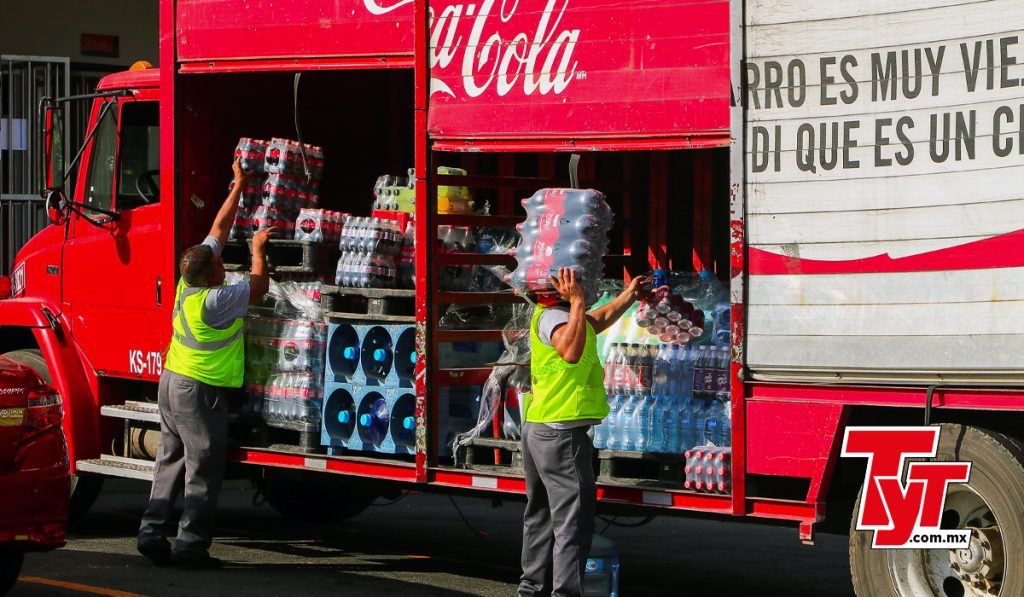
(316,497)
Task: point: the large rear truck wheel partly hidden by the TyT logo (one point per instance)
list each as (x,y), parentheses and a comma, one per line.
(991,503)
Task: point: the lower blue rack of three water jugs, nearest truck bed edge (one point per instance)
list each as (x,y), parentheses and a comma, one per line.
(369,419)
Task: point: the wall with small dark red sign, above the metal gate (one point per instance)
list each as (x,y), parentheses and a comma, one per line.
(54,28)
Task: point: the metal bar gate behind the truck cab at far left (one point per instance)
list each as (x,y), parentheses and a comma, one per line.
(24,81)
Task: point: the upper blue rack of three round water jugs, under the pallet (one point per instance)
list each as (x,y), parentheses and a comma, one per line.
(377,355)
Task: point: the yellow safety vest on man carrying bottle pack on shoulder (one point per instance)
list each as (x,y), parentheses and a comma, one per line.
(565,392)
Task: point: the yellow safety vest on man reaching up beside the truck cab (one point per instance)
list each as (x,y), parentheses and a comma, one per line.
(212,357)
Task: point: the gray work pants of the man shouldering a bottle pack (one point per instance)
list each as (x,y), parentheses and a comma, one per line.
(559,524)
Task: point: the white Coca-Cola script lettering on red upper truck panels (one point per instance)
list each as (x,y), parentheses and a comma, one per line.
(536,57)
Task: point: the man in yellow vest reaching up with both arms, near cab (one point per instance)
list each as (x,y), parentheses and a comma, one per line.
(206,356)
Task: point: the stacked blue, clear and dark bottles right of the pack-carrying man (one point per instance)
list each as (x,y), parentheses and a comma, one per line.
(666,399)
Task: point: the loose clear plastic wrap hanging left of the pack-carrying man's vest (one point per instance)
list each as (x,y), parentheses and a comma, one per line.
(515,364)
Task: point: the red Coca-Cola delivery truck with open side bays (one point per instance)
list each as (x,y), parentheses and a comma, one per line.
(842,174)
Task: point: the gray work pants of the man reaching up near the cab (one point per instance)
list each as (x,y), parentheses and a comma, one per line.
(192,456)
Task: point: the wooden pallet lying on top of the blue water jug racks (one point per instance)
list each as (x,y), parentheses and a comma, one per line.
(382,305)
